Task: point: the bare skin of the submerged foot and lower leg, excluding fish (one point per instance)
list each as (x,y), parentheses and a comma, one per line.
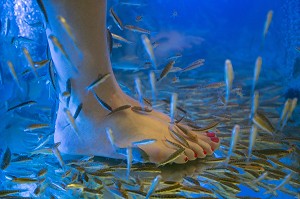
(87,20)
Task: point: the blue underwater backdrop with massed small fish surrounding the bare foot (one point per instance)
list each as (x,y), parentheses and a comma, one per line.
(183,31)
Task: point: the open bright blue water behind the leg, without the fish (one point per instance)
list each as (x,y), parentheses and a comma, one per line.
(212,30)
